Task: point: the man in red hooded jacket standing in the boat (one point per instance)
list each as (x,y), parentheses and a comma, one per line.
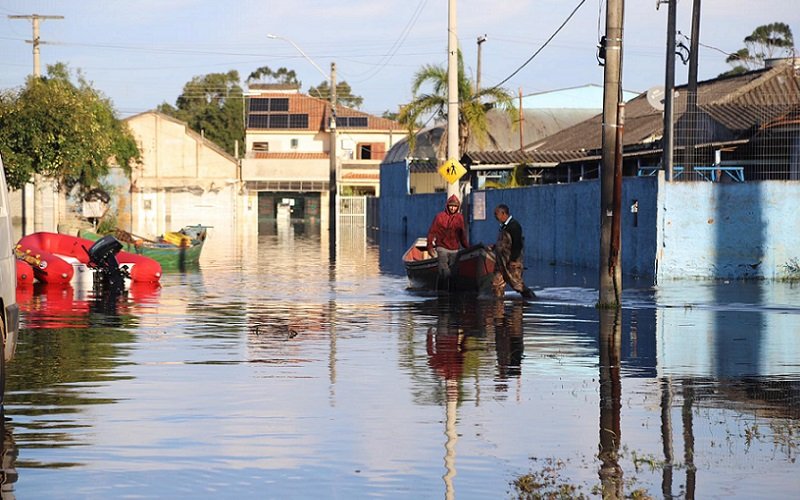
(447,235)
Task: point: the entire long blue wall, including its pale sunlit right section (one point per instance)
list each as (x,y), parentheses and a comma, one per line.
(699,230)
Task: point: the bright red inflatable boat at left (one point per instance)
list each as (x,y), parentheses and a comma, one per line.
(56,258)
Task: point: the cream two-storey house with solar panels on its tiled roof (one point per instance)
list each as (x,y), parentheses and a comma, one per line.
(288,144)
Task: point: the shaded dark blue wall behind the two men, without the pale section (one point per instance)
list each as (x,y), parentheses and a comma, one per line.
(560,222)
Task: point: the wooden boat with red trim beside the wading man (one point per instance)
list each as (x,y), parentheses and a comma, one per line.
(473,271)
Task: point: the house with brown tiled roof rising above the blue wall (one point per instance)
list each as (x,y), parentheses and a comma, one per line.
(743,127)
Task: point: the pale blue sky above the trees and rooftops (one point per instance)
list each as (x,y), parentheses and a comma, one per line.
(141,53)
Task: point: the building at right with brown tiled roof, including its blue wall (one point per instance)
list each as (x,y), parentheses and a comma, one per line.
(739,143)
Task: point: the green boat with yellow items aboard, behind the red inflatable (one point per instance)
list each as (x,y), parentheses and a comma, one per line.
(173,250)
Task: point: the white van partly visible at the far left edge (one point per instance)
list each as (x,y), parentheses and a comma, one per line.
(9,310)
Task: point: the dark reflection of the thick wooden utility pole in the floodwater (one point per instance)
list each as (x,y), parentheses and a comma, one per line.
(610,403)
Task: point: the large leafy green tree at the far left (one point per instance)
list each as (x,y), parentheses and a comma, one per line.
(61,130)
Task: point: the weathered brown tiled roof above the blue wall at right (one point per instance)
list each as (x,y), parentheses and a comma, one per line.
(737,105)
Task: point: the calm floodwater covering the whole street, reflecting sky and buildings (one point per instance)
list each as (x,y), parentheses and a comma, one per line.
(268,373)
